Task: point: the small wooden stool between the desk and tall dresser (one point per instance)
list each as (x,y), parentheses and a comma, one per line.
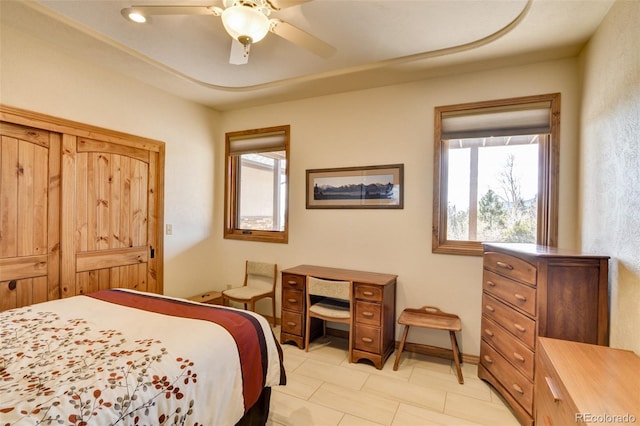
(431,317)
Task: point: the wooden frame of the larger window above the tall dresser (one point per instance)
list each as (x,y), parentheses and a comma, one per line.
(548,177)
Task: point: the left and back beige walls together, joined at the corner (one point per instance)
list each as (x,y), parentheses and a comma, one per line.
(381,126)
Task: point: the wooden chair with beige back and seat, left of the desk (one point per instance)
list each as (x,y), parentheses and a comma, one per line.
(259,283)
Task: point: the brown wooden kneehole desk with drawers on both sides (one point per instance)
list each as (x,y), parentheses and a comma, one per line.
(375,310)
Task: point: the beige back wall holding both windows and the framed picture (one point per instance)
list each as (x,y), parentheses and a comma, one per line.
(385,126)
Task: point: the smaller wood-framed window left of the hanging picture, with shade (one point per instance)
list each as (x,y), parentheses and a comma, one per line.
(256,184)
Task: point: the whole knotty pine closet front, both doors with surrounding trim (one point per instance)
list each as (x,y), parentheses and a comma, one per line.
(81,209)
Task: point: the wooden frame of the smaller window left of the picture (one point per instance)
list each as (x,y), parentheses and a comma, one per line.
(231,220)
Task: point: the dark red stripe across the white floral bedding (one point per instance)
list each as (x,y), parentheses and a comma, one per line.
(241,328)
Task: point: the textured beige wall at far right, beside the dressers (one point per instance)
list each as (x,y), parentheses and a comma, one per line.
(610,163)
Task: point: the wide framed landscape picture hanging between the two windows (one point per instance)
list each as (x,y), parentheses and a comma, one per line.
(365,187)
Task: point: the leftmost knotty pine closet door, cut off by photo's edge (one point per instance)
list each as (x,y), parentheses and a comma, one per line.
(29,215)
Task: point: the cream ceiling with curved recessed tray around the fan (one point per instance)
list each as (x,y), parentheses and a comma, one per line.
(377,43)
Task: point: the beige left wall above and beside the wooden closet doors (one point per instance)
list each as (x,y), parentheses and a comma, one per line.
(40,77)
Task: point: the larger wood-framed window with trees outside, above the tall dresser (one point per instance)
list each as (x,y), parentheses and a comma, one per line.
(496,173)
